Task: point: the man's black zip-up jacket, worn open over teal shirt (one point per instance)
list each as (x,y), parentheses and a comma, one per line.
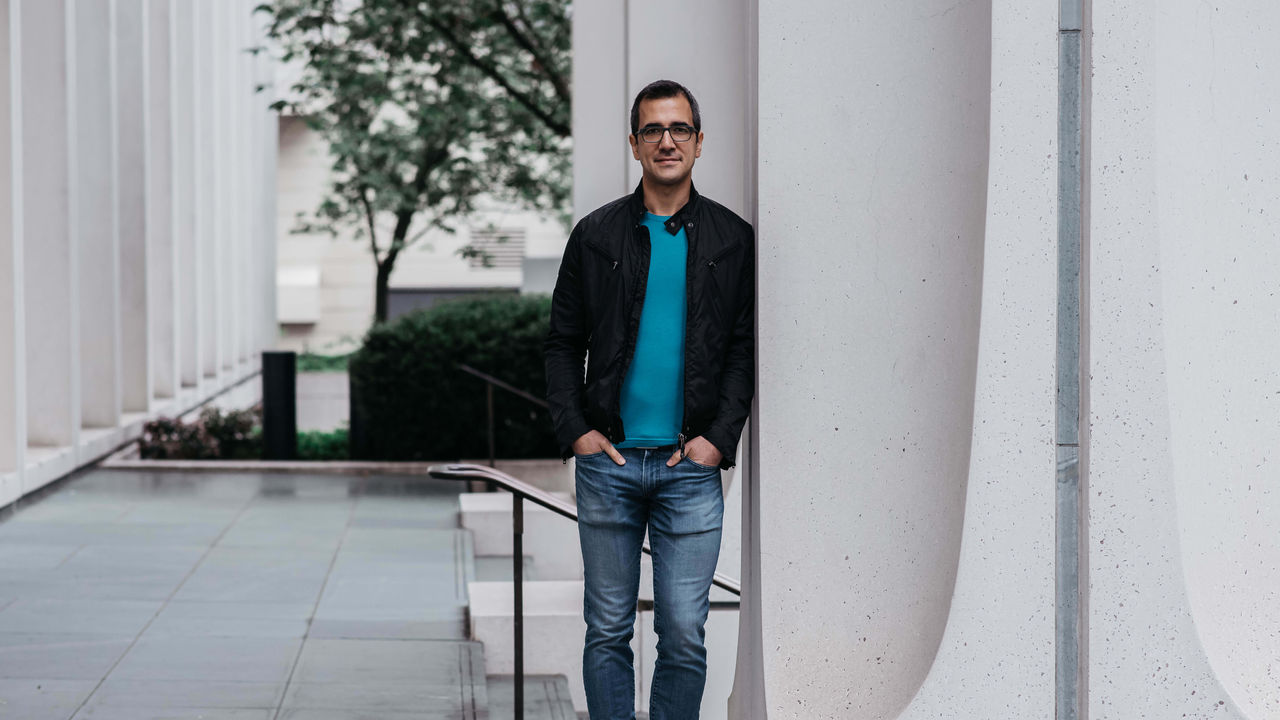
(596,313)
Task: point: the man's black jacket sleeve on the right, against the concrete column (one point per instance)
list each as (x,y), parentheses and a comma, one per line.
(738,375)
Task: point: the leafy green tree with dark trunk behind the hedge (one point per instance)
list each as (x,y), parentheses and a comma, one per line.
(427,106)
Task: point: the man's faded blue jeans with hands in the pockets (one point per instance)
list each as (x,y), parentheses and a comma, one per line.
(682,508)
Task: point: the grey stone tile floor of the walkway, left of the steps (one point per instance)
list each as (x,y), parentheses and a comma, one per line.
(149,596)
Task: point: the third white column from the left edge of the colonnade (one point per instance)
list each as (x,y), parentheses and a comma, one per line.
(95,126)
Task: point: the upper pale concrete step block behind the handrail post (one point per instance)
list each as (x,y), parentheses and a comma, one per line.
(550,540)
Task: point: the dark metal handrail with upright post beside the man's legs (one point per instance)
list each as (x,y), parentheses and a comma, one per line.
(520,491)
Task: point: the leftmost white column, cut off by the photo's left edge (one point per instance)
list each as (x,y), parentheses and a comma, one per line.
(13,372)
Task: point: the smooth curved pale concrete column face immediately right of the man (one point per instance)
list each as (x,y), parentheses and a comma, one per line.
(872,208)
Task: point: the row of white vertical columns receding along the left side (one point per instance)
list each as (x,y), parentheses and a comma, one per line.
(138,234)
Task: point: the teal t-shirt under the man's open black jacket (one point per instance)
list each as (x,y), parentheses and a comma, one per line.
(653,393)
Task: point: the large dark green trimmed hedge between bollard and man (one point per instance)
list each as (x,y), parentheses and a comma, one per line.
(417,404)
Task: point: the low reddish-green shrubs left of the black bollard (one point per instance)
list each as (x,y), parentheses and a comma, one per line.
(236,435)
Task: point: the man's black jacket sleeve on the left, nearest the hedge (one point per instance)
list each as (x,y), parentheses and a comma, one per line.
(565,349)
